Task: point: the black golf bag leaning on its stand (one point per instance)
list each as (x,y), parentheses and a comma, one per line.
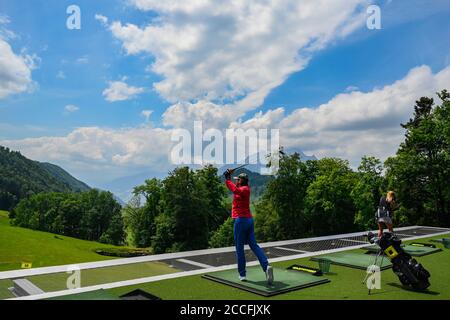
(411,273)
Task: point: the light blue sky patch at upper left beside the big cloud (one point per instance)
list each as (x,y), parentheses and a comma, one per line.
(42,31)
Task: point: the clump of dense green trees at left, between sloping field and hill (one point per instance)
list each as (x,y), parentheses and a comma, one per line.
(88,215)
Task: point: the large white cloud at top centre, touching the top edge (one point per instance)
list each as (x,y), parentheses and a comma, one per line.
(209,51)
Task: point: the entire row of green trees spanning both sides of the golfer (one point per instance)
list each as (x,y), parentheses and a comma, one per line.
(191,209)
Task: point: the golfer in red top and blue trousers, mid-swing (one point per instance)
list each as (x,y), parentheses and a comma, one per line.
(243,225)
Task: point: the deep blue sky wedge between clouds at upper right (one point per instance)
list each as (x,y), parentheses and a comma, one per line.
(371,58)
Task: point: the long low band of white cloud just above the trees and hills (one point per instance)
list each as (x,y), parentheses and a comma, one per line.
(348,126)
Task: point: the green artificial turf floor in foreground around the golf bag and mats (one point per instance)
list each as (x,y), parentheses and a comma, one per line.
(346,284)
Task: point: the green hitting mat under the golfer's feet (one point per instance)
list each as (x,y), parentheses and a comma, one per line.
(284,280)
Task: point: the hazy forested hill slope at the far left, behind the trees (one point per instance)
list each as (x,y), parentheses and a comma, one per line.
(21,177)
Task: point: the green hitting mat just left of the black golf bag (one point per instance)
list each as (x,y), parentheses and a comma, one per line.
(354,260)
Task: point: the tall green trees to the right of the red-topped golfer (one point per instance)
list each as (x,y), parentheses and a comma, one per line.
(326,196)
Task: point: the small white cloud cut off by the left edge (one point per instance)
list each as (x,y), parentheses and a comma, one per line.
(15,71)
